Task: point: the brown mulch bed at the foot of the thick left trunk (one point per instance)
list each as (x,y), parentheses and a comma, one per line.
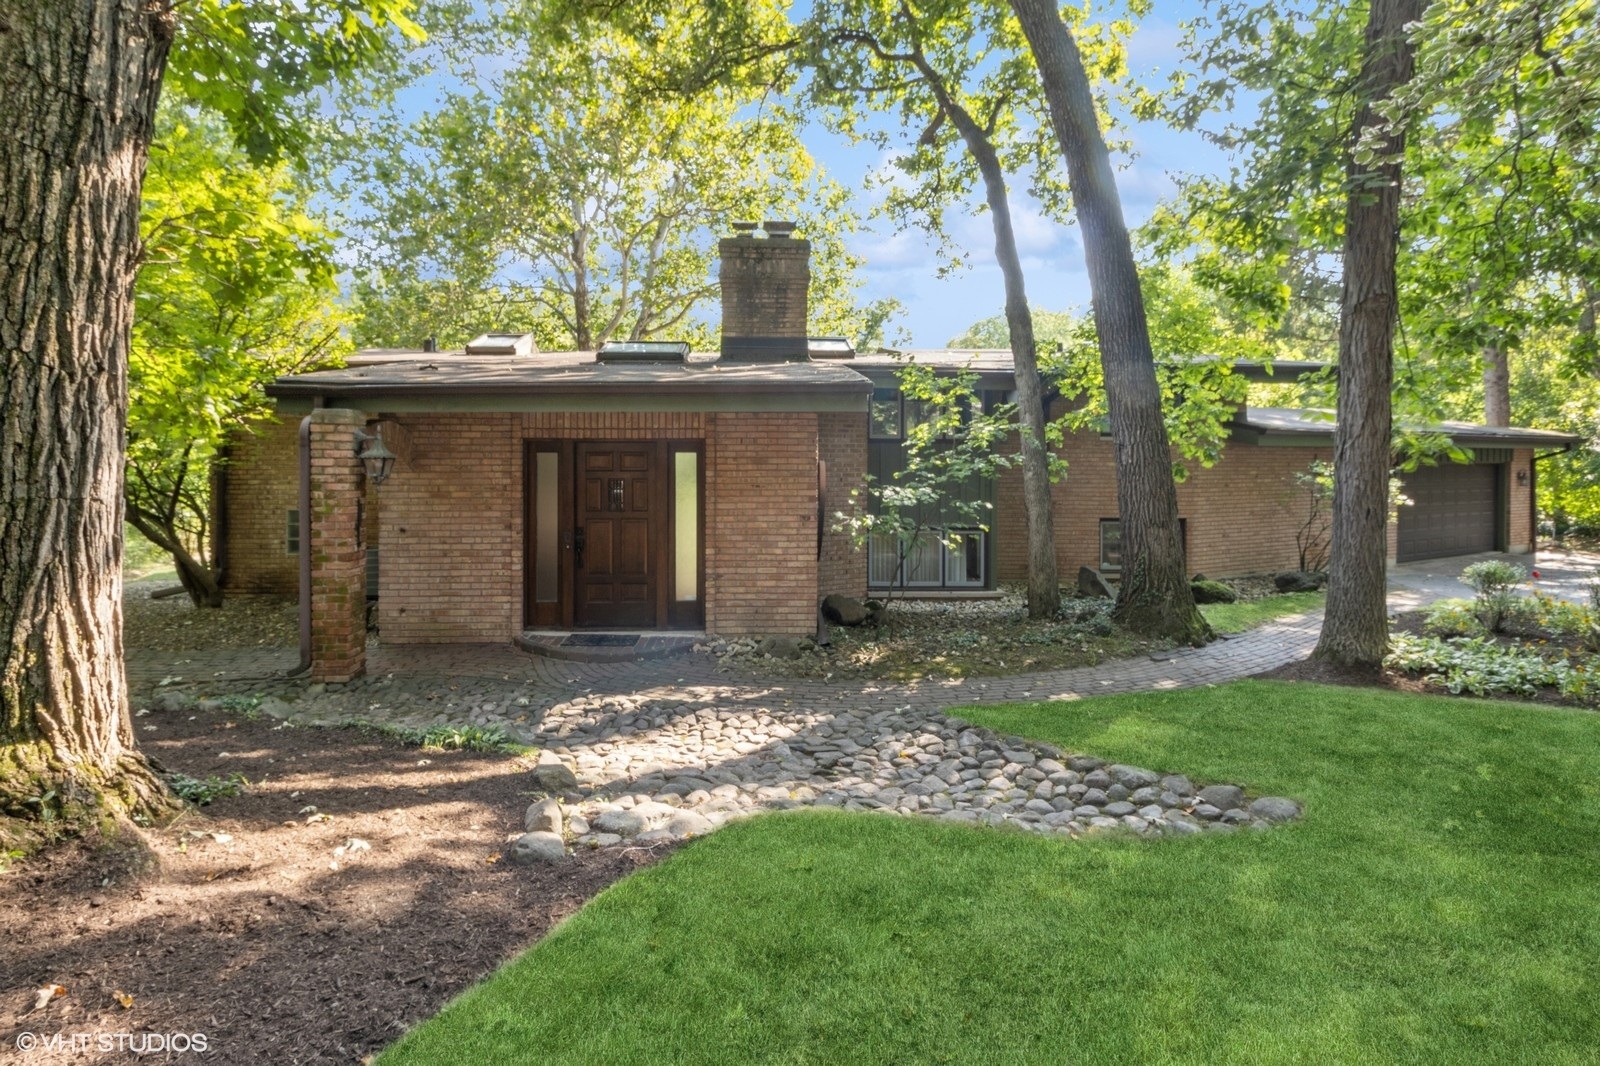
(242,923)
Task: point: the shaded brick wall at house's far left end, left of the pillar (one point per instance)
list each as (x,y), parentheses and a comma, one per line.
(263,487)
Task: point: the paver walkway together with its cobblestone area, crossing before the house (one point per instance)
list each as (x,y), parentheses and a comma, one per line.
(673,748)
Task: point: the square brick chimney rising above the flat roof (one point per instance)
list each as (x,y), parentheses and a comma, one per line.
(766,283)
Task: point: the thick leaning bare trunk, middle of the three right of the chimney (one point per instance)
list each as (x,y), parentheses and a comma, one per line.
(1154,598)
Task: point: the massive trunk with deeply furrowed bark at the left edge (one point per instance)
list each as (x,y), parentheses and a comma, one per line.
(81,81)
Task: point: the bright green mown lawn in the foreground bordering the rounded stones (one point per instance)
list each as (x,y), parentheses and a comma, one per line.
(1441,904)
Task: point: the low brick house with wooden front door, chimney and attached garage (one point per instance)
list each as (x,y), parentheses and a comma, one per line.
(646,487)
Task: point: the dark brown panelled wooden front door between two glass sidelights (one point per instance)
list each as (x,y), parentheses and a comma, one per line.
(615,535)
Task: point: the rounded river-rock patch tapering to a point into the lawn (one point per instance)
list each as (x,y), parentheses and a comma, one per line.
(652,771)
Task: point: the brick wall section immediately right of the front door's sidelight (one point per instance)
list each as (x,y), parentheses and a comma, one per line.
(761,524)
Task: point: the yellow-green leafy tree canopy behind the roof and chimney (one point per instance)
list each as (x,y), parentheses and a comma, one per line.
(562,194)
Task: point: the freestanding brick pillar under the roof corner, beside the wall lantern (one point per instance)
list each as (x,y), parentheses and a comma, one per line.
(338,548)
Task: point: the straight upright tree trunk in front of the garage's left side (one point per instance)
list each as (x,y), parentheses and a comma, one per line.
(1356,631)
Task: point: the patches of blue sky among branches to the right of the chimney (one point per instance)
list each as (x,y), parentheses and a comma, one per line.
(938,310)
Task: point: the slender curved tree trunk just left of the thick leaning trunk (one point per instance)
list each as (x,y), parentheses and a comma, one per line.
(1044,585)
